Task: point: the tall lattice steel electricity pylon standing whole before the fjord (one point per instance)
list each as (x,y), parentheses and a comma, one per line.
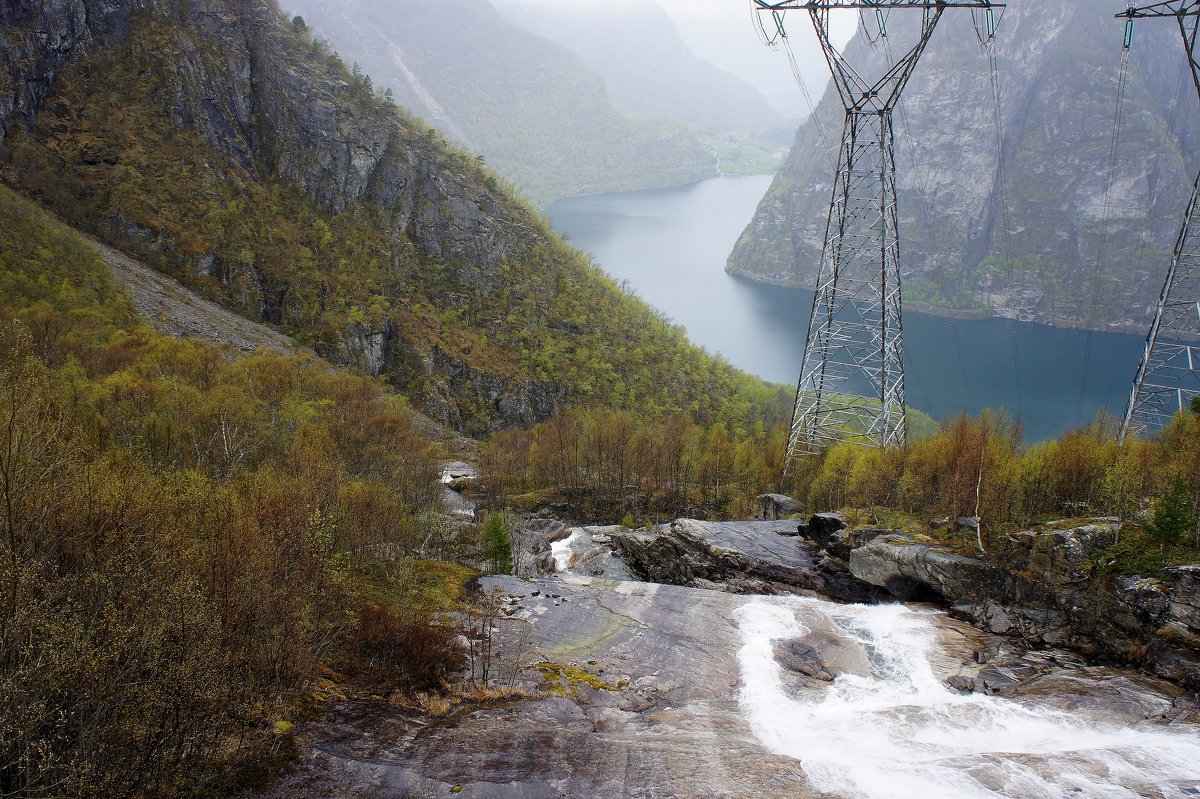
(851,387)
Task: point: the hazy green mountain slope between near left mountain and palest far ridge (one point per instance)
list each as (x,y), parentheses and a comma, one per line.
(532,109)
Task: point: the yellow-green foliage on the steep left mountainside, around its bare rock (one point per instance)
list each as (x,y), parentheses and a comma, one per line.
(110,155)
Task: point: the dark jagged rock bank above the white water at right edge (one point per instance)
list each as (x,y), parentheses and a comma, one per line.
(1052,596)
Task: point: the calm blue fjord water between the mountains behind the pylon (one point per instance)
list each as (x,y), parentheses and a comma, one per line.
(671,247)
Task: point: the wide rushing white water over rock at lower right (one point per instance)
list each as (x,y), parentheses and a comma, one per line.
(902,734)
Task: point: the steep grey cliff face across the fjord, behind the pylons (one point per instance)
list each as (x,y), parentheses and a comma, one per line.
(1059,67)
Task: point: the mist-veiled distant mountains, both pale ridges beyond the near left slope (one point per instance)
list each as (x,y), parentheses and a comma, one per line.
(545,115)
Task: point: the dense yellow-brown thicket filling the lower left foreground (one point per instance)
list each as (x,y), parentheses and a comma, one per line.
(184,534)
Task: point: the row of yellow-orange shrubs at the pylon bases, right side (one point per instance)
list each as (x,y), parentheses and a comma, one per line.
(983,462)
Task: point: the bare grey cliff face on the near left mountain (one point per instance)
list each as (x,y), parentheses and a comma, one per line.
(232,73)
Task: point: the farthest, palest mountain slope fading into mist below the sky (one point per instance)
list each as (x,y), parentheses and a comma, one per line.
(646,65)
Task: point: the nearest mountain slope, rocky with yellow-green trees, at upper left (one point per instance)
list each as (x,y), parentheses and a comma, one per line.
(225,147)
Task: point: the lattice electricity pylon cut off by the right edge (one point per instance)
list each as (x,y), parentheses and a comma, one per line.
(1169,375)
